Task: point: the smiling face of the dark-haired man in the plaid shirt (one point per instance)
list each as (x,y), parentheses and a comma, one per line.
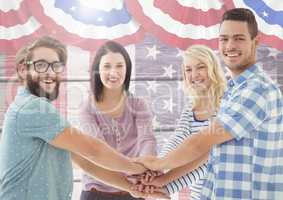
(236,46)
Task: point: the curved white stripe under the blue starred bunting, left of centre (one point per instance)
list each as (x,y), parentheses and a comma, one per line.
(87,30)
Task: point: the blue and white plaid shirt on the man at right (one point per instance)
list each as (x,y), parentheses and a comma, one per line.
(251,165)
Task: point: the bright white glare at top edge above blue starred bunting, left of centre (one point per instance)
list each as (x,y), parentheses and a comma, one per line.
(106,5)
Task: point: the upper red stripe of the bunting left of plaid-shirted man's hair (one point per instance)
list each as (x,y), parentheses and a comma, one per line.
(190,15)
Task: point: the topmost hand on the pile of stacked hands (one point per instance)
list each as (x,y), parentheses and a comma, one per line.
(150,162)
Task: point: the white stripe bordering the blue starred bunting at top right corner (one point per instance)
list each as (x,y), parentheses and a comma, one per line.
(263,26)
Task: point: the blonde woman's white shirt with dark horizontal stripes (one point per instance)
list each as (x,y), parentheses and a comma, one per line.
(187,126)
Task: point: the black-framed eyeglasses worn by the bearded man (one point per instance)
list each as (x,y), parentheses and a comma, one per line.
(41,66)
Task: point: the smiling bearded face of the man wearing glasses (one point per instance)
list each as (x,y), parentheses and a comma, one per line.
(44,84)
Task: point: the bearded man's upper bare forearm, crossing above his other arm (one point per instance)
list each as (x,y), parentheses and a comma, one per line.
(96,151)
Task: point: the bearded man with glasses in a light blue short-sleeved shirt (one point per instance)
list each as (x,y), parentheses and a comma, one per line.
(38,143)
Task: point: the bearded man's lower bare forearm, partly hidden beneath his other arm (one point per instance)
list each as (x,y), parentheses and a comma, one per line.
(108,177)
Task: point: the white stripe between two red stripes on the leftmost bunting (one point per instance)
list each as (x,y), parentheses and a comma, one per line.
(20,30)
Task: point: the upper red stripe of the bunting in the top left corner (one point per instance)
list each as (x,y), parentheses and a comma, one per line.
(14,17)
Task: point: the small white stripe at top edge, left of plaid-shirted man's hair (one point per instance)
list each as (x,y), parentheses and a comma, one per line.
(203,5)
